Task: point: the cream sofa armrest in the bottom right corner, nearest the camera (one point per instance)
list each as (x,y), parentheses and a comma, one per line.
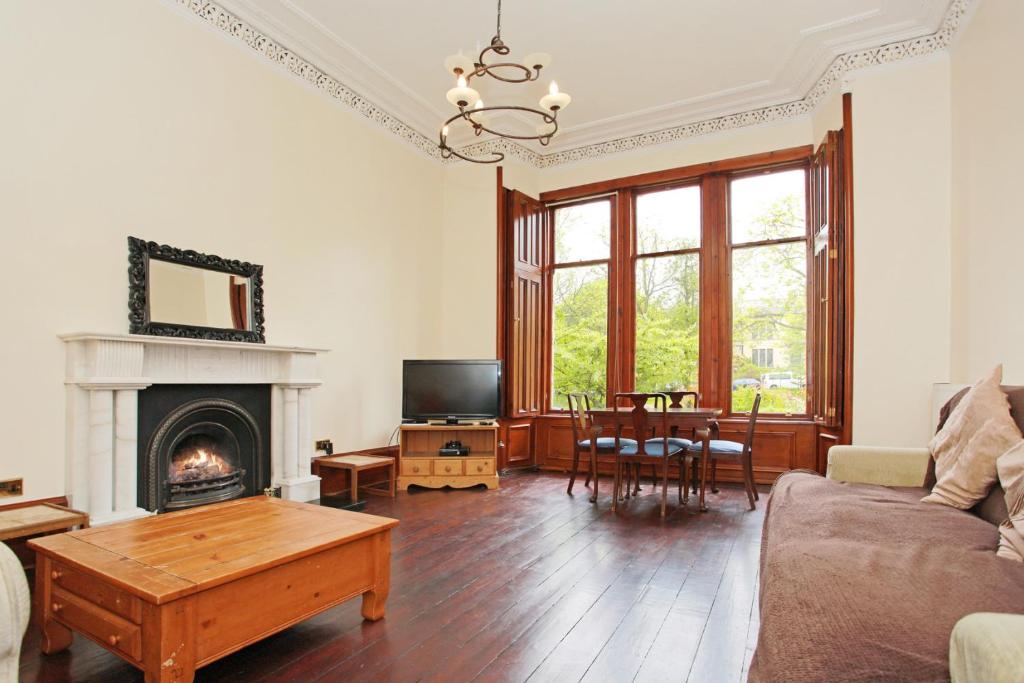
(988,647)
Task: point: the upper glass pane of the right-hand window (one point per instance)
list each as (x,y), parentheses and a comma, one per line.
(767,207)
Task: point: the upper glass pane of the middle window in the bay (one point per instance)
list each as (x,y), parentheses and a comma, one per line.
(669,221)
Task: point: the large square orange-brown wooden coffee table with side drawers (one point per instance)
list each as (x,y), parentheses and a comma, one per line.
(176,592)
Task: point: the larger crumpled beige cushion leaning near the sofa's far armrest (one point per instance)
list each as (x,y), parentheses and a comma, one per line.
(978,432)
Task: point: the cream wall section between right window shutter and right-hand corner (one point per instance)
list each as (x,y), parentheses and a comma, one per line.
(902,166)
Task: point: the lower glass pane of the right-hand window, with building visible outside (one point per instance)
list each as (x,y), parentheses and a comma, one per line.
(770,328)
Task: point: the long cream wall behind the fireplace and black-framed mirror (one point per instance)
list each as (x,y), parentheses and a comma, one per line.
(136,119)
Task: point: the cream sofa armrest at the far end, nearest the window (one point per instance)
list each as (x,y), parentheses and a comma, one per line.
(884,466)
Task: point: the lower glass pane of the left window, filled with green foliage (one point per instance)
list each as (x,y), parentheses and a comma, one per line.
(580,333)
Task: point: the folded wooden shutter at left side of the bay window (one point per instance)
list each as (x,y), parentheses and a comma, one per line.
(529,257)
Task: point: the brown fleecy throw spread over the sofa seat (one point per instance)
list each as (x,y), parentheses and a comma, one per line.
(864,583)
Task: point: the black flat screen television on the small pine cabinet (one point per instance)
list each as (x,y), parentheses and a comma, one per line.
(451,390)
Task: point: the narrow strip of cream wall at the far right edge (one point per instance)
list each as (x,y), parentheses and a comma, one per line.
(989,230)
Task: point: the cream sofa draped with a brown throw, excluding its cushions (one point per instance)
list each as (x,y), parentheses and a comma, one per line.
(861,581)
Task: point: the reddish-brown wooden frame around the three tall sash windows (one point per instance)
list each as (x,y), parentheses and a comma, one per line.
(715,254)
